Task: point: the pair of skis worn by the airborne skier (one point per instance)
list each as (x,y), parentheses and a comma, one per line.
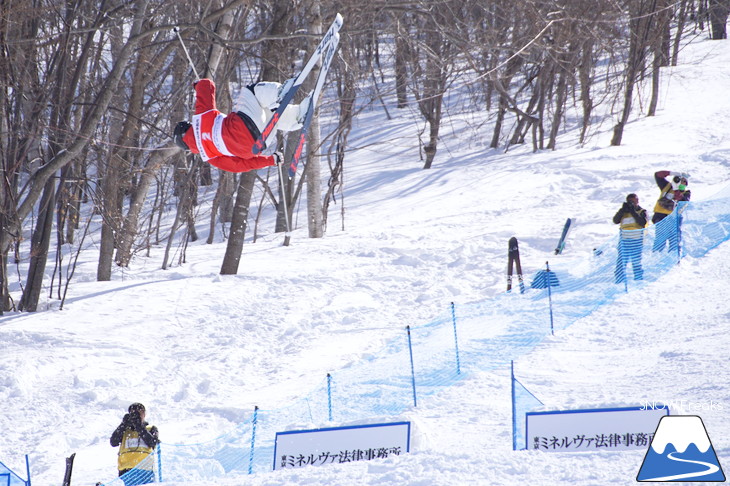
(324,51)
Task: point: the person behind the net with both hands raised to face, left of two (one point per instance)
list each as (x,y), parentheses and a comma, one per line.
(632,219)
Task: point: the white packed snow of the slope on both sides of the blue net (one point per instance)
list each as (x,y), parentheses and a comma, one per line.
(200,350)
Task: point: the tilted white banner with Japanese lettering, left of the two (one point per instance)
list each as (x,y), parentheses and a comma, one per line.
(337,445)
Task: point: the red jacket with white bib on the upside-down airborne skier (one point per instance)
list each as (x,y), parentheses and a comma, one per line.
(223,141)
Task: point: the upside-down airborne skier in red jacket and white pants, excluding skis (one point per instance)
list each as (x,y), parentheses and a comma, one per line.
(225,141)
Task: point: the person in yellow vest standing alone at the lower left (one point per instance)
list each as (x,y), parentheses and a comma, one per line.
(137,441)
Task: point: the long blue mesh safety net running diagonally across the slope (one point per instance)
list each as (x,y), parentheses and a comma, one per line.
(464,339)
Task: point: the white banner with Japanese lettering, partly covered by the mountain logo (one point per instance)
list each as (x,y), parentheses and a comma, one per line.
(609,429)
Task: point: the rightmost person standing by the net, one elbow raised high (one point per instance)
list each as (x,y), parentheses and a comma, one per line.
(672,192)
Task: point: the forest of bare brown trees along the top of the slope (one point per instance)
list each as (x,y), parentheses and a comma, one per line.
(90,91)
